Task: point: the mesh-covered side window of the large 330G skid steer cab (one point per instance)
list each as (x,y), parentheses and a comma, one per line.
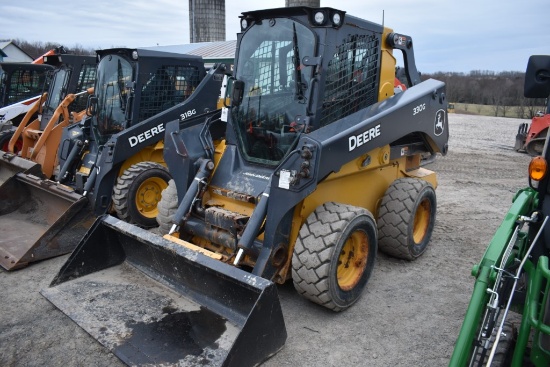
(352,77)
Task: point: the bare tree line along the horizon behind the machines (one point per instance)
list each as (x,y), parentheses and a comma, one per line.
(502,92)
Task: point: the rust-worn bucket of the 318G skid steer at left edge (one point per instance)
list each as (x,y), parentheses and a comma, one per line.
(39,219)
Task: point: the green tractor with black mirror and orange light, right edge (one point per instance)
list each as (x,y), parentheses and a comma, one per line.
(507,322)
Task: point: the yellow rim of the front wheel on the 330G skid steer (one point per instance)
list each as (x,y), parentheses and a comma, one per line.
(352,260)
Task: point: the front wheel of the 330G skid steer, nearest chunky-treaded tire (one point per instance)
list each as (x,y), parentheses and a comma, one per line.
(334,237)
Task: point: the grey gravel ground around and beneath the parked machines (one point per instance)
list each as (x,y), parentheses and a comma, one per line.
(409,315)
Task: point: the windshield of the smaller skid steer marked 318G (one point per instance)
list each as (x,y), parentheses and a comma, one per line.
(113,72)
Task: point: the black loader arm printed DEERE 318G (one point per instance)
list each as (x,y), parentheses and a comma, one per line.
(128,142)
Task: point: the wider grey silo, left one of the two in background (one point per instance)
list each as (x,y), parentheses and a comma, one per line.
(206,20)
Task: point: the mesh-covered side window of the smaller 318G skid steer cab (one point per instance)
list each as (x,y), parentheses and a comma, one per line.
(168,86)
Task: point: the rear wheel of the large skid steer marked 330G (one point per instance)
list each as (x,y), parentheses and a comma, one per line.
(406,218)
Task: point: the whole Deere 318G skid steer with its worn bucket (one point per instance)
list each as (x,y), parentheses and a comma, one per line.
(111,161)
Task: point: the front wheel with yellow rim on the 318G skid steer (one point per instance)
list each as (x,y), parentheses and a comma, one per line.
(137,193)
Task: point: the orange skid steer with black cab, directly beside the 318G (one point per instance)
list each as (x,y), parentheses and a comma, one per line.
(32,144)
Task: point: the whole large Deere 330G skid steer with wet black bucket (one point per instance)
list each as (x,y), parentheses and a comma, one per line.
(316,163)
